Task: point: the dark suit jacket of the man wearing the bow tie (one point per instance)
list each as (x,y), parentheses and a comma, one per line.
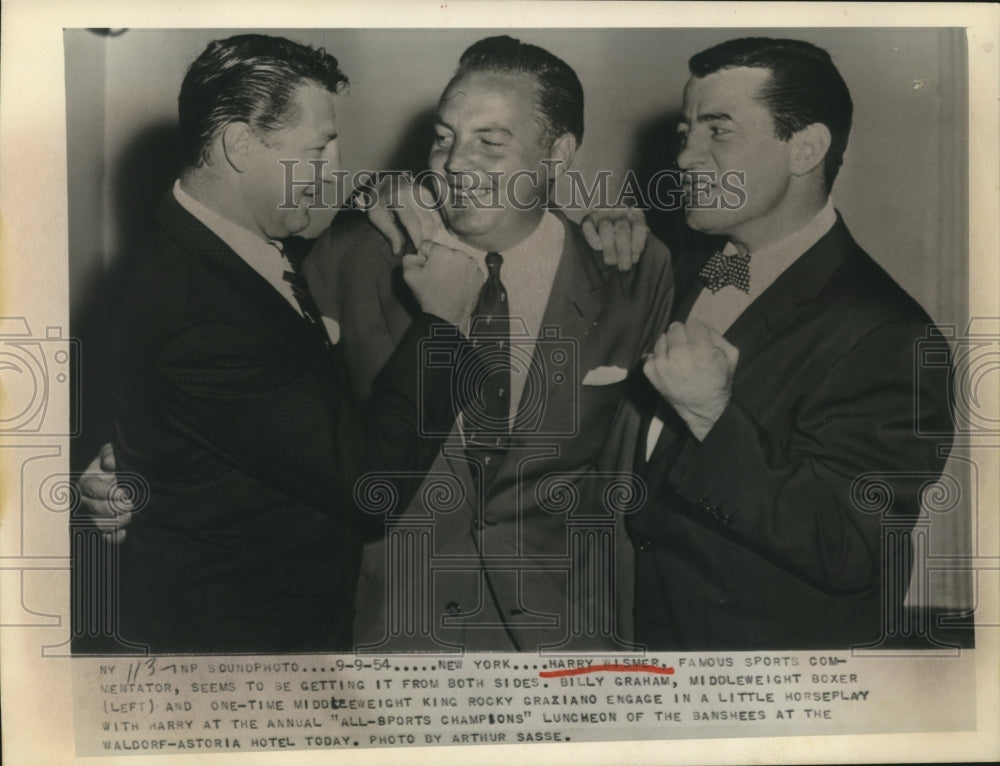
(758,538)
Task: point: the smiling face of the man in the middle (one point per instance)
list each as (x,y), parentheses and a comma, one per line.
(489,137)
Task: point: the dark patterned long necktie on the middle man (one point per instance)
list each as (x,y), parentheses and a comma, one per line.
(485,382)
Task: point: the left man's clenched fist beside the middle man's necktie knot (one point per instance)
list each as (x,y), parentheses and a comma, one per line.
(445,282)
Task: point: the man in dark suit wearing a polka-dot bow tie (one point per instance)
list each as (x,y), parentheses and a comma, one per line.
(787,378)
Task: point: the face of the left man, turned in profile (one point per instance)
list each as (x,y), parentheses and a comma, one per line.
(312,135)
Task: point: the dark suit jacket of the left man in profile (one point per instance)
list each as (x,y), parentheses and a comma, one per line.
(234,412)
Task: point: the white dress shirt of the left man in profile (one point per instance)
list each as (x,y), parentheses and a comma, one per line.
(266,257)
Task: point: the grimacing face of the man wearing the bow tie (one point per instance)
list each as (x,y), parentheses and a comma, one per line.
(726,128)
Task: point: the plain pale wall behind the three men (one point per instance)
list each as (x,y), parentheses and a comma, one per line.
(902,189)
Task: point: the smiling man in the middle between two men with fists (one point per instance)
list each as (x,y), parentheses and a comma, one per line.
(523,558)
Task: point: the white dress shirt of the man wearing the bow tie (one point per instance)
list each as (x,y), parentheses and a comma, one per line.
(721,309)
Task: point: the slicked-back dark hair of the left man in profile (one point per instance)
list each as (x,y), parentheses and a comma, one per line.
(251,79)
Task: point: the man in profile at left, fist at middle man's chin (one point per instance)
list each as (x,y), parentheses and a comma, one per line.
(230,398)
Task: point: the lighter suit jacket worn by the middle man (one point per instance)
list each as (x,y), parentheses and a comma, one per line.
(504,588)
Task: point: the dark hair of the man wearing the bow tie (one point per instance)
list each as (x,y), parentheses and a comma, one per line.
(805,88)
